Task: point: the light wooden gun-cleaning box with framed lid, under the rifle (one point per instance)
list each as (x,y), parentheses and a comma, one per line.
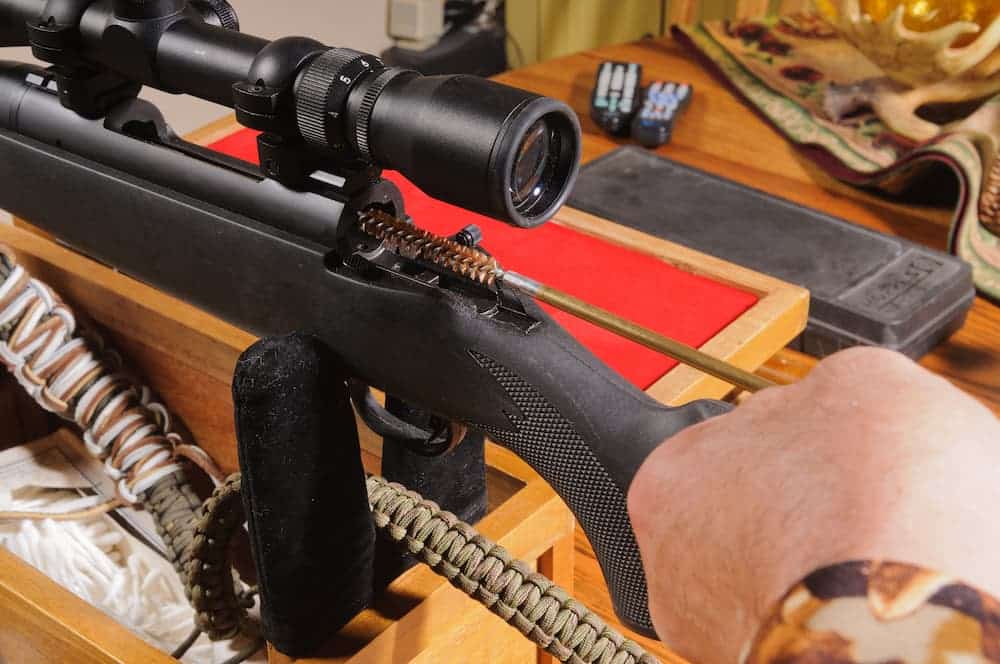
(188,357)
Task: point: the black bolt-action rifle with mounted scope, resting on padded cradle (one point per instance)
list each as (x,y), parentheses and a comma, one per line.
(315,240)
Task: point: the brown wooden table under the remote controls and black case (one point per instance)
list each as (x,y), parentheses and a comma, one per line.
(720,134)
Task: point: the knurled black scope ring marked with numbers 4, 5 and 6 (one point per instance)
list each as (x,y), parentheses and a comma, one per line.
(322,91)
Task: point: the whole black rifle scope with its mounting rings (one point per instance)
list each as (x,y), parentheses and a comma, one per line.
(487,147)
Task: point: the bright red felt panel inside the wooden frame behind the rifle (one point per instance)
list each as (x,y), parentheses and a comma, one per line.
(684,306)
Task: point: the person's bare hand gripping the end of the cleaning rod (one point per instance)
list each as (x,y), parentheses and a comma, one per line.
(869,457)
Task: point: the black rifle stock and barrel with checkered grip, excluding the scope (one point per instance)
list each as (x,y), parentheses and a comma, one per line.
(217,234)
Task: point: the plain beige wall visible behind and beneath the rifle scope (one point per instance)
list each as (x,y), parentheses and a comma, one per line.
(358,24)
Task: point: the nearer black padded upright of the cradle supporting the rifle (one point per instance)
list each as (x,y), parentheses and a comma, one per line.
(304,493)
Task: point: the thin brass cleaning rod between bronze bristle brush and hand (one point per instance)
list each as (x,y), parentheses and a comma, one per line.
(626,328)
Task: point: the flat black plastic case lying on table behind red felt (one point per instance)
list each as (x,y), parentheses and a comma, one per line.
(867,288)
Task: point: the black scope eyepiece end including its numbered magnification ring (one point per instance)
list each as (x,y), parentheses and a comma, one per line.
(484,146)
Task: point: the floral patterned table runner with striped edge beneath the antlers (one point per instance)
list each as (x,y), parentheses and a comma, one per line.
(784,66)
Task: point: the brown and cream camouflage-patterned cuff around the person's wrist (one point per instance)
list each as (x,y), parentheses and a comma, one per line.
(879,613)
